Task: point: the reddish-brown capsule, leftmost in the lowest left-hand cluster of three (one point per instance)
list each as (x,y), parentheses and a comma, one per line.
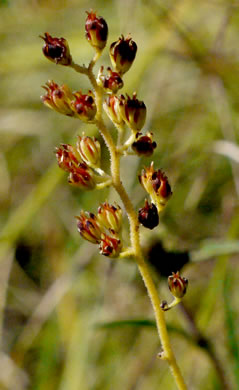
(88,227)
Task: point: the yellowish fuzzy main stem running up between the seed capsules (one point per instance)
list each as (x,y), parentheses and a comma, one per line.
(136,251)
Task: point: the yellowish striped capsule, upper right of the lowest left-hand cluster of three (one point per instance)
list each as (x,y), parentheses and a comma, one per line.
(110,216)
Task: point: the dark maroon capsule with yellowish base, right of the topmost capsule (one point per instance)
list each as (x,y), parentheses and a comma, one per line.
(122,54)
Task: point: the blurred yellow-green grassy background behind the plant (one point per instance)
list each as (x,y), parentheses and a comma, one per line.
(71,319)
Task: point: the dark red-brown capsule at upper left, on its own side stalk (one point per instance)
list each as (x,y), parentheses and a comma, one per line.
(56,50)
